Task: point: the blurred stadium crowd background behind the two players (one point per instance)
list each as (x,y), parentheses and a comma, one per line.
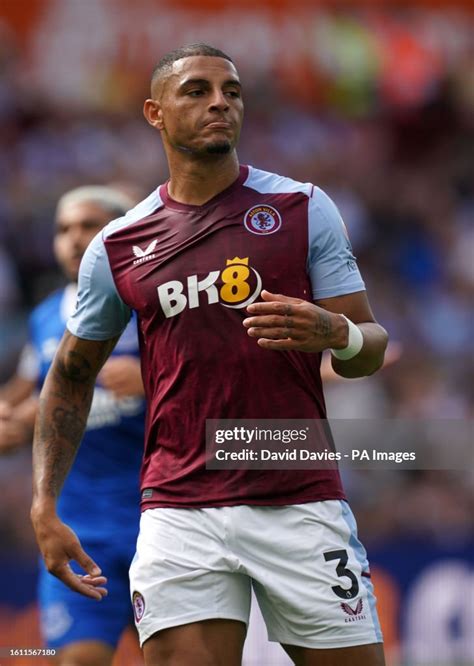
(372,102)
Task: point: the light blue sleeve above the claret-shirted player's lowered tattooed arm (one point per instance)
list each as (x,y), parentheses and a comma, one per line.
(100,312)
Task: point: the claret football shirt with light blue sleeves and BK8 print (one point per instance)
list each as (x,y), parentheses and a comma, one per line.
(189,272)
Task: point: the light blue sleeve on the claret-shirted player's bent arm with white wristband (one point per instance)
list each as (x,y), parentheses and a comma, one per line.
(332,267)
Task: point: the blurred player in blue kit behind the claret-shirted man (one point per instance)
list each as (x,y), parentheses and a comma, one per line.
(100,497)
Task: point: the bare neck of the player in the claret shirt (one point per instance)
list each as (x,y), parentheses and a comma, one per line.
(196,182)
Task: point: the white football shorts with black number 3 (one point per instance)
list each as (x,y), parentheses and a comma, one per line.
(308,570)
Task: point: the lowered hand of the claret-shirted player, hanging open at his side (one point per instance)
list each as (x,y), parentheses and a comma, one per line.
(59,545)
